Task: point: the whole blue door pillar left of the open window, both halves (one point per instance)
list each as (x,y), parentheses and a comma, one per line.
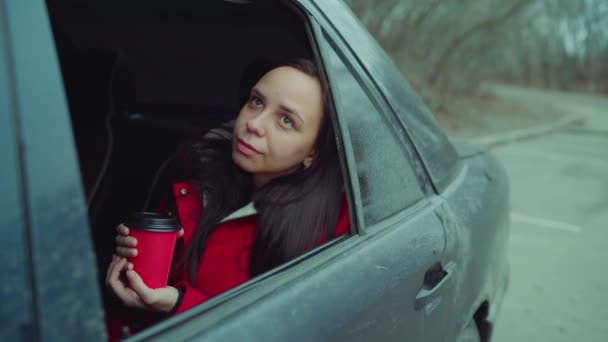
(51,259)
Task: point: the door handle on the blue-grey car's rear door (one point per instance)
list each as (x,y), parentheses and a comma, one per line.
(436,280)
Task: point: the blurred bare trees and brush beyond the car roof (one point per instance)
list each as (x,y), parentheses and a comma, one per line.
(450,48)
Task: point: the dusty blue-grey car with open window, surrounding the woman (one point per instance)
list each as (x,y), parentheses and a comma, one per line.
(96,97)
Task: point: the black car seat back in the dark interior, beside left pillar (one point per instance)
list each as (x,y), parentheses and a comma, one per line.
(97,87)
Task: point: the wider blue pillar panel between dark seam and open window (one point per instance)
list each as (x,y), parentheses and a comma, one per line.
(58,241)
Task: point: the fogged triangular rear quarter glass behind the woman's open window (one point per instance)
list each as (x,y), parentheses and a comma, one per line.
(386,180)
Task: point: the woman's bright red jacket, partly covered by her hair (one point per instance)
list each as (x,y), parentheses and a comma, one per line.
(225,260)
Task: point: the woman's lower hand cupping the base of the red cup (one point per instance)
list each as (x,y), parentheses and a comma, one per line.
(138,295)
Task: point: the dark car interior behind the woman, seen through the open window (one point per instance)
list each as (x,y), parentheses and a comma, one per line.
(143,78)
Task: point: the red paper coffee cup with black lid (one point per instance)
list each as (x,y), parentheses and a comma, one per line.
(156,235)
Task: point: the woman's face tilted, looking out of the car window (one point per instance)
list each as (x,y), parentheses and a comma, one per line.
(276,129)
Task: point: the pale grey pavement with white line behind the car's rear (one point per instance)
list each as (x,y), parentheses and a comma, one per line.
(559,239)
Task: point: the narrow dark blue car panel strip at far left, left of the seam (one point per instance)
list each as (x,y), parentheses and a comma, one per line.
(24,324)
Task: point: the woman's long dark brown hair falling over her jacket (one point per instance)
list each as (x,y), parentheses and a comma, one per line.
(294,211)
